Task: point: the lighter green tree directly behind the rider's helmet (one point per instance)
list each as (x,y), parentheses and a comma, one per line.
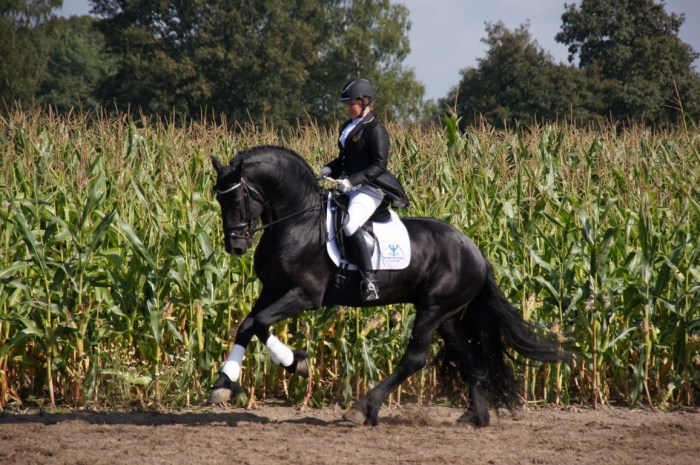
(366,38)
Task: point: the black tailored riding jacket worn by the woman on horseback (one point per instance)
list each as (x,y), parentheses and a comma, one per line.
(365,158)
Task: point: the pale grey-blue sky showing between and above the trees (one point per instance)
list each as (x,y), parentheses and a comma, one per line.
(446,35)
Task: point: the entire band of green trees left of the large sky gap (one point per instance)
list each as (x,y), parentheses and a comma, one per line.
(275,62)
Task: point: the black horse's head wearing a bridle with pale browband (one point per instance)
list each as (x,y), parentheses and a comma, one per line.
(241,206)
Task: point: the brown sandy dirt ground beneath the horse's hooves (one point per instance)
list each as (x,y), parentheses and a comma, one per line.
(280,434)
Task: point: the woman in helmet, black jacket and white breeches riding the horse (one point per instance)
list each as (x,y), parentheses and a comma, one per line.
(362,168)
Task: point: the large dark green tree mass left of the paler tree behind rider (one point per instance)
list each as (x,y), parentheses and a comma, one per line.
(243,59)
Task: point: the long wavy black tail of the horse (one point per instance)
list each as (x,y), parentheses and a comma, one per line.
(487,328)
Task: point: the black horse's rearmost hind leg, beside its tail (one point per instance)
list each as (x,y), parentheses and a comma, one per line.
(471,368)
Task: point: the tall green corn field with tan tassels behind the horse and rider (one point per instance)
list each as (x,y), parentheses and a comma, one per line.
(115,290)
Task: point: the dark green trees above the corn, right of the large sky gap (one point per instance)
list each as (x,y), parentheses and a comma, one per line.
(633,68)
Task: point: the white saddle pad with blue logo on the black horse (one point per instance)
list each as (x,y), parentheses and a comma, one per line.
(392,248)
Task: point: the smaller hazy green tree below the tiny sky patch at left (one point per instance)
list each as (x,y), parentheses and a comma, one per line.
(76,63)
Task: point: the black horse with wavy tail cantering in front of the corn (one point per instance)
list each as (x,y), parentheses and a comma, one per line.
(447,274)
